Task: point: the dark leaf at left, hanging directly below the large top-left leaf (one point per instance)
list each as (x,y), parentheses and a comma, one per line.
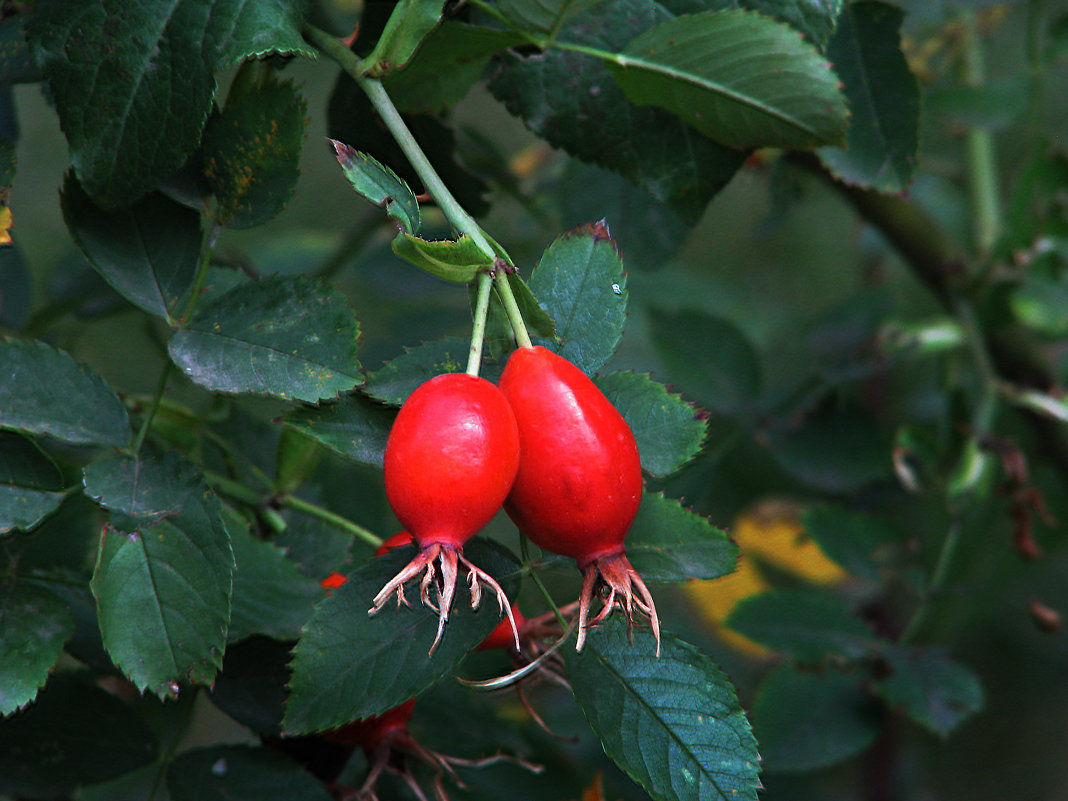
(148,253)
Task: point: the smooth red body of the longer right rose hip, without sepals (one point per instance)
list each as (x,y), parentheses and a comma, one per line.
(580,480)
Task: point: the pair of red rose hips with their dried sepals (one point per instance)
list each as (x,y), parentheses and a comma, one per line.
(548,446)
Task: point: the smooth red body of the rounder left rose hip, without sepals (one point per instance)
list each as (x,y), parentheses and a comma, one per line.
(451,458)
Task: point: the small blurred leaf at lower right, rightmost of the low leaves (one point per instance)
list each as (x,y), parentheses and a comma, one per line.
(932,689)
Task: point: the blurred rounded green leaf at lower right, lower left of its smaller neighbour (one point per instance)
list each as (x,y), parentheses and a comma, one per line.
(807,721)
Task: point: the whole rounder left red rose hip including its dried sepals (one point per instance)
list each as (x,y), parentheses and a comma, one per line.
(451,458)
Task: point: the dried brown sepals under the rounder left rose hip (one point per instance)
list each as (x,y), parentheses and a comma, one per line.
(441,564)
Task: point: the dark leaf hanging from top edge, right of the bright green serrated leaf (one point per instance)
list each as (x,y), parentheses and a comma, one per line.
(881,150)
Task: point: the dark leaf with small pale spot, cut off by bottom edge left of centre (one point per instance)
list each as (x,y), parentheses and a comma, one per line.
(241,774)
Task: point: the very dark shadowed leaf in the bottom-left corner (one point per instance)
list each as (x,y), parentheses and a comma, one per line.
(73,734)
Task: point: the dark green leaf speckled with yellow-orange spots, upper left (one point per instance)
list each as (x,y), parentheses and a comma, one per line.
(253,149)
